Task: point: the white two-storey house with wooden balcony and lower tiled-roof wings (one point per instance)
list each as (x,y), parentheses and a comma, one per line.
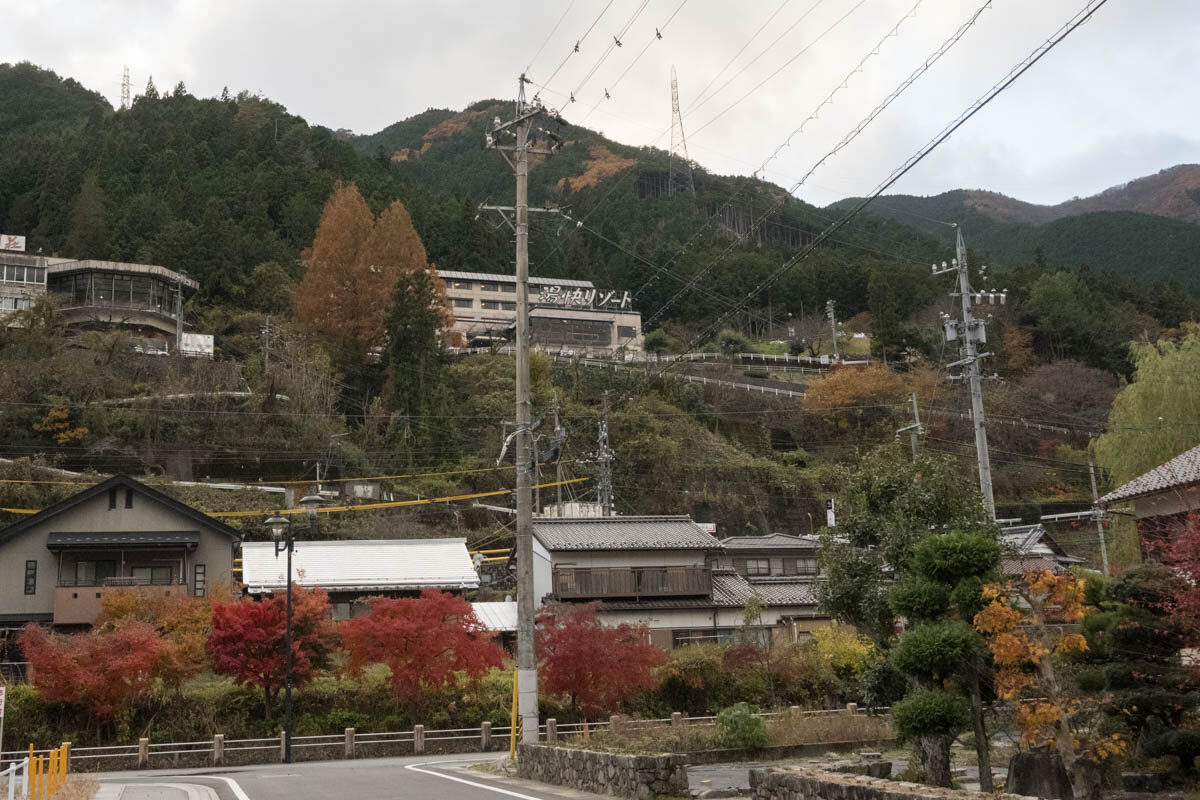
(664,573)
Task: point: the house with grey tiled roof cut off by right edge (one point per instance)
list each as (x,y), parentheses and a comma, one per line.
(1163,500)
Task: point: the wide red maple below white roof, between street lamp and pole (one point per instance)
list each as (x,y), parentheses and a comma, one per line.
(424,641)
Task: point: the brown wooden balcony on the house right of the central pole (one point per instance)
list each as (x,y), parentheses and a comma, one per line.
(578,584)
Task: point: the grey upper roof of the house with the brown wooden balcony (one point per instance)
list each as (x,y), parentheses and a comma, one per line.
(623,534)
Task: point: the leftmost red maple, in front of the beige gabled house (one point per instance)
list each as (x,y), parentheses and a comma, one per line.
(97,671)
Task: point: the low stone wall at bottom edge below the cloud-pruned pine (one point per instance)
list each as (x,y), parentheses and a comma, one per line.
(807,784)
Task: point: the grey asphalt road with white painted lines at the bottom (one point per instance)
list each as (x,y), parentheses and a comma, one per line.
(423,778)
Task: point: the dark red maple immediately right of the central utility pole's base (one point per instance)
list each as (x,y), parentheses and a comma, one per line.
(598,666)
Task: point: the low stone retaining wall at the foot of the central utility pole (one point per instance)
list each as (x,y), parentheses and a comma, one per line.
(640,778)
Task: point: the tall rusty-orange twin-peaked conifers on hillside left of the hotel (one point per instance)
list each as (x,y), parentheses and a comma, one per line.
(352,268)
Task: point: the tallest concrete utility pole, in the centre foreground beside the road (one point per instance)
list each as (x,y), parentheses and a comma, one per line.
(520,139)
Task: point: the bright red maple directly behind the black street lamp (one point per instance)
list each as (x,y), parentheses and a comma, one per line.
(248,640)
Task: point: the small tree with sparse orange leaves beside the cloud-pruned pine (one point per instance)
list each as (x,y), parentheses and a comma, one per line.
(1028,623)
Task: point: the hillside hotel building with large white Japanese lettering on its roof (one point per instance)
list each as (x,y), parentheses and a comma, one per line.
(565,315)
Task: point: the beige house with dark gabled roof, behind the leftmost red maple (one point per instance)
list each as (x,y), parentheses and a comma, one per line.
(58,564)
